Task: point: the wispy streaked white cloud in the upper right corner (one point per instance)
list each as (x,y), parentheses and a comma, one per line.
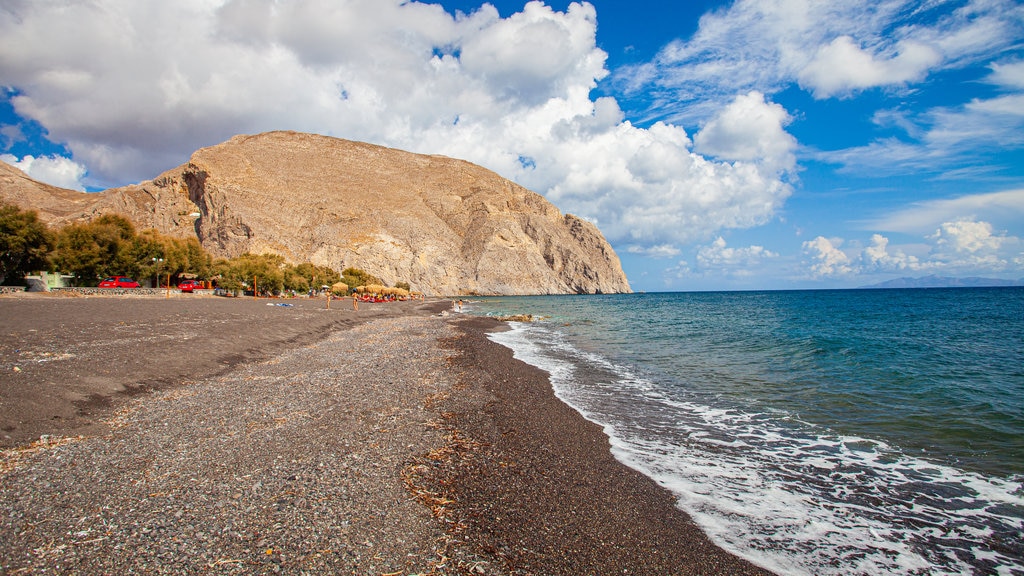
(831,49)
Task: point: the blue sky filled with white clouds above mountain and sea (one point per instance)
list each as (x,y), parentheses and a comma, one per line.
(717,145)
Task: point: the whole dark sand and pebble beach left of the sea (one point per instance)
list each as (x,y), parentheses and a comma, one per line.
(207,435)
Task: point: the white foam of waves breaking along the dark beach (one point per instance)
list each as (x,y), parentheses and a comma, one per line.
(788,497)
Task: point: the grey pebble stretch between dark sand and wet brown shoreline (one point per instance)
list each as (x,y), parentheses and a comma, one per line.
(271,448)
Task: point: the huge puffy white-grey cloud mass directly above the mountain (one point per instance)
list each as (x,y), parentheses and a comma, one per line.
(133,88)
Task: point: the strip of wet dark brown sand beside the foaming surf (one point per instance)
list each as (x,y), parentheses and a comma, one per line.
(538,488)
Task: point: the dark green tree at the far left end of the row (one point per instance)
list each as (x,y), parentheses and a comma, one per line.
(25,242)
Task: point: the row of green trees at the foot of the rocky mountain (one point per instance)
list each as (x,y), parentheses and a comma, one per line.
(111,246)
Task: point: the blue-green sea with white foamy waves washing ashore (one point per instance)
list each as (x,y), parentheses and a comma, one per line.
(832,432)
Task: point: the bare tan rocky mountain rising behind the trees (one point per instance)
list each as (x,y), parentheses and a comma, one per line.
(445,226)
